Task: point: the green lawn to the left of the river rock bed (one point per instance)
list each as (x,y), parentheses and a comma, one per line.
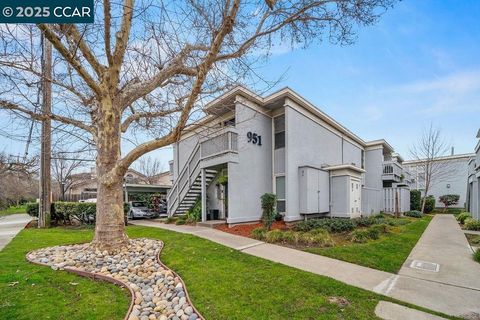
(42,293)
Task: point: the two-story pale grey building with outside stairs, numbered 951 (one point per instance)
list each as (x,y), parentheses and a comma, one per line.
(249,145)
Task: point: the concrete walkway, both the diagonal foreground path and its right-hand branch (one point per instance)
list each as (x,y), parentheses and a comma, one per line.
(419,288)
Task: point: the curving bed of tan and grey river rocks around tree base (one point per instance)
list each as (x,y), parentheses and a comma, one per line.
(157,292)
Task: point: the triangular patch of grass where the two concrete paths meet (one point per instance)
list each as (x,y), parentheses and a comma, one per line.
(387,253)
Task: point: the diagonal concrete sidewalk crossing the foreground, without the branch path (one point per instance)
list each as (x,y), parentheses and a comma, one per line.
(435,295)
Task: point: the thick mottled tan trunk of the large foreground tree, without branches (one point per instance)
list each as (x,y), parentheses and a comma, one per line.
(110,224)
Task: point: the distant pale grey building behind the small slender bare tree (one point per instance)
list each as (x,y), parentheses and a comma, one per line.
(451,180)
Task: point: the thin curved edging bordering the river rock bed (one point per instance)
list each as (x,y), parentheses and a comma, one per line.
(100,277)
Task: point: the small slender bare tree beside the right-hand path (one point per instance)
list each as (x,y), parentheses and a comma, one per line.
(428,152)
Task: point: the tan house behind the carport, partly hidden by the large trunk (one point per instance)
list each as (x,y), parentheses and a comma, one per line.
(84,185)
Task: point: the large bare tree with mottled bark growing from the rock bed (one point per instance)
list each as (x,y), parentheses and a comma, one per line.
(143,68)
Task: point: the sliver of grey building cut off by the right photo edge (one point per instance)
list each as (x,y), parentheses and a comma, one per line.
(473,183)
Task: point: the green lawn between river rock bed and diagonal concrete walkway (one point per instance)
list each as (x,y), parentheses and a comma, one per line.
(227,284)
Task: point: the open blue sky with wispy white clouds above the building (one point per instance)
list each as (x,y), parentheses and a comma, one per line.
(419,65)
